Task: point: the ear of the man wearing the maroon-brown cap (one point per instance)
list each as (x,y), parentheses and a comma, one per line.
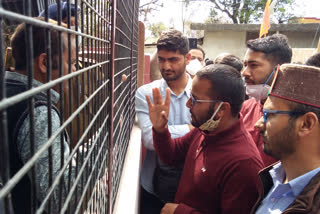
(307,124)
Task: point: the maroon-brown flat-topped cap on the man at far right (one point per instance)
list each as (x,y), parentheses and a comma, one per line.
(297,83)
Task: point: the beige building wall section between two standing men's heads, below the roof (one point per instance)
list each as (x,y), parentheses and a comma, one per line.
(232,42)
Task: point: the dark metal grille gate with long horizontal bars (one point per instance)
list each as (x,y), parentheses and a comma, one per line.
(83,157)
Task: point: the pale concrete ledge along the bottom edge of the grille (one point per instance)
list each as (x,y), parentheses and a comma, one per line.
(127,201)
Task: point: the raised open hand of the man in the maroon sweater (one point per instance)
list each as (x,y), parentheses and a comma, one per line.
(159,111)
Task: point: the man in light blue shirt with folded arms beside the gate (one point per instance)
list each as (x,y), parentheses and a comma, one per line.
(158,181)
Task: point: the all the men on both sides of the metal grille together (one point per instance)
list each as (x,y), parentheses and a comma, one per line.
(226,136)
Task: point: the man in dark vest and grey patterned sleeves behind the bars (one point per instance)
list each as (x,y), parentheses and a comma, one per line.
(19,118)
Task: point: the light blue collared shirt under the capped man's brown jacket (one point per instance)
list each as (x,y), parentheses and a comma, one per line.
(282,195)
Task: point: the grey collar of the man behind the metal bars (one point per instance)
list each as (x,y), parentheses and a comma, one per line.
(35,83)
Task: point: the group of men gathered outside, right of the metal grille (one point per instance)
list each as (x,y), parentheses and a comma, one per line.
(232,136)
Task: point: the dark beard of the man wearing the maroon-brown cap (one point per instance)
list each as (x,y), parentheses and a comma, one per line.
(282,144)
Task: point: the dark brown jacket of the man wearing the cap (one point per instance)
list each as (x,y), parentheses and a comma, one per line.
(308,201)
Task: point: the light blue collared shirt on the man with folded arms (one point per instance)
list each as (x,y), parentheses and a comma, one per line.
(178,123)
